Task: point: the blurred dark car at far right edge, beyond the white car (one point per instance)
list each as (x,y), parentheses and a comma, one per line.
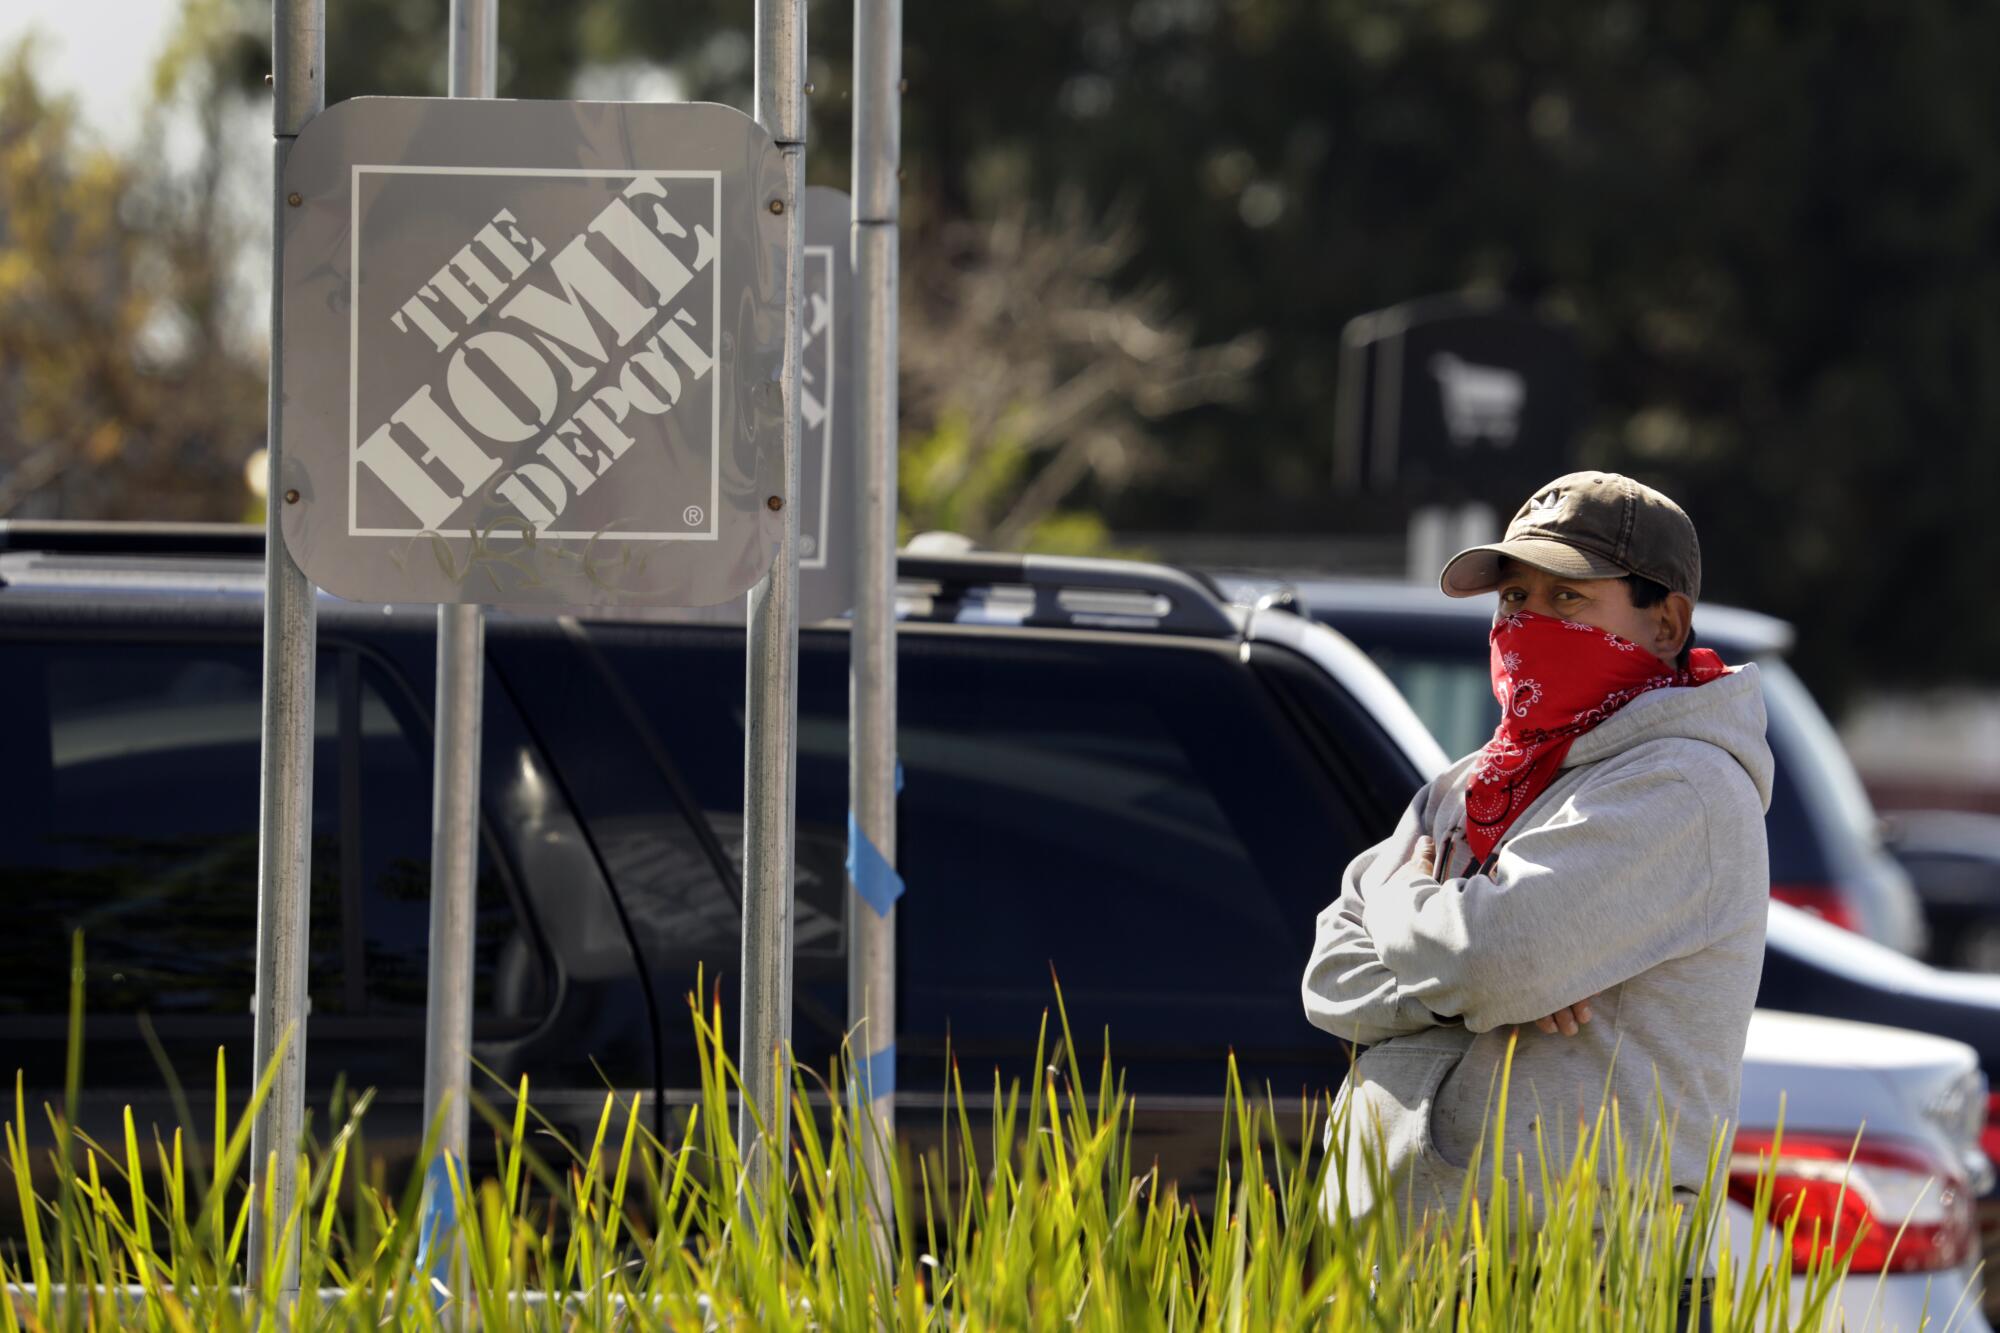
(1955,862)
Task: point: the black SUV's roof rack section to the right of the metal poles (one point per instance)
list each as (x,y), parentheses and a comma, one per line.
(1057,593)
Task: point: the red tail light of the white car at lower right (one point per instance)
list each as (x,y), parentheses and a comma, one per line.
(1887,1184)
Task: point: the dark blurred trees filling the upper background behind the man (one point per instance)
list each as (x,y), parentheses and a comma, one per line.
(1775,225)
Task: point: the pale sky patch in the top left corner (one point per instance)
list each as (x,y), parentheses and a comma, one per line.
(99,51)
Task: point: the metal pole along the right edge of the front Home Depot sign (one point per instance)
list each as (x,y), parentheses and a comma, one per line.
(771,694)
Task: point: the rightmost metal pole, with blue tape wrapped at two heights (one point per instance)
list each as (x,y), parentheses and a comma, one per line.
(873,647)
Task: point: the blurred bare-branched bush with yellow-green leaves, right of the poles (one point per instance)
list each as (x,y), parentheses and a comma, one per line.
(1029,377)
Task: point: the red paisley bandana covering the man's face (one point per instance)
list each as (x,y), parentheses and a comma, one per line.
(1555,682)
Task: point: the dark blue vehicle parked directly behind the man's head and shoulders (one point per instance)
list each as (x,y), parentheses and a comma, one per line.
(1827,850)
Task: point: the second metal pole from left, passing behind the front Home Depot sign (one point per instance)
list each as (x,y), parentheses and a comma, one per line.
(455,824)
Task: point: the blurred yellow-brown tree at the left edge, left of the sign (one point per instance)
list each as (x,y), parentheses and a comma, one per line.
(127,385)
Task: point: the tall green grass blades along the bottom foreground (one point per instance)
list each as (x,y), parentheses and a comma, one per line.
(1037,1218)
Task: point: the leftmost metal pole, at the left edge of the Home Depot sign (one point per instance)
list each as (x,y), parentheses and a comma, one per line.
(287,728)
